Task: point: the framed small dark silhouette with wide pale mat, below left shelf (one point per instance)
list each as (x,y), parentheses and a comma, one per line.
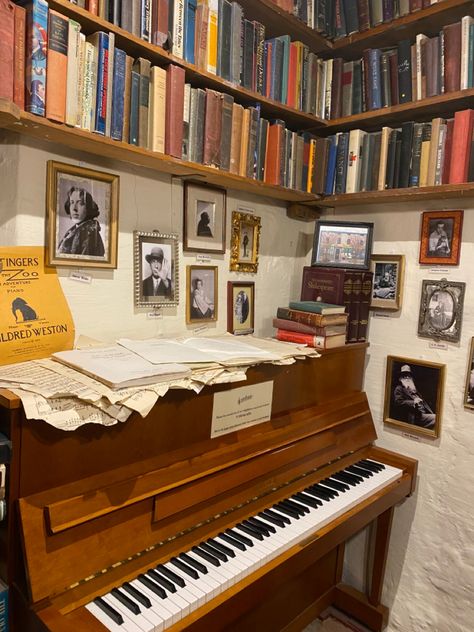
(204,218)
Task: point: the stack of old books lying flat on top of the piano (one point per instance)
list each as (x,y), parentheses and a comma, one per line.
(313,323)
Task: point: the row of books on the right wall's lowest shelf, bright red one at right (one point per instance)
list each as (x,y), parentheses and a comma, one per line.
(414,155)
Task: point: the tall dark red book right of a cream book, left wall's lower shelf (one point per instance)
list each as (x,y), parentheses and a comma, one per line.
(174,111)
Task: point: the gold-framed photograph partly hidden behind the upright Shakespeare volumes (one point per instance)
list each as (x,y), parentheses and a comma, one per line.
(387,290)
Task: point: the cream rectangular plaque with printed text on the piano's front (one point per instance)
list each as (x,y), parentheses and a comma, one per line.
(241,408)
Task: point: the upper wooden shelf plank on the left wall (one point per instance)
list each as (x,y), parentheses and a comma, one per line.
(137,47)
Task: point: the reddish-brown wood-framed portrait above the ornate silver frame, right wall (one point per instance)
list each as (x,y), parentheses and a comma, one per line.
(441,237)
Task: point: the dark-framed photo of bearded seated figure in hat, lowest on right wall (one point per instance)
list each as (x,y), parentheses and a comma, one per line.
(414,395)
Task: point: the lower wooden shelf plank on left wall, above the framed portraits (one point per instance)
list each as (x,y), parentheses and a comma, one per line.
(38,127)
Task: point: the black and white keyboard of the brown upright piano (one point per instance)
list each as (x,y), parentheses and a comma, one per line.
(163,595)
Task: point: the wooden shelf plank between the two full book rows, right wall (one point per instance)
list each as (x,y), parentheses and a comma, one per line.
(423,110)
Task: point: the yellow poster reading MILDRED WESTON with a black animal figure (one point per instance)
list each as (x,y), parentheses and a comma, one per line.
(35,319)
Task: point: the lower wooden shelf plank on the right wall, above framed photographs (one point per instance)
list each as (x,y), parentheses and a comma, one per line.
(412,194)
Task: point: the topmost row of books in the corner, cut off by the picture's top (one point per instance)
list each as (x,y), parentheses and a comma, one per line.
(339,18)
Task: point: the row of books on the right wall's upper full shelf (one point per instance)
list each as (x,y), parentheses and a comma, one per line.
(409,72)
